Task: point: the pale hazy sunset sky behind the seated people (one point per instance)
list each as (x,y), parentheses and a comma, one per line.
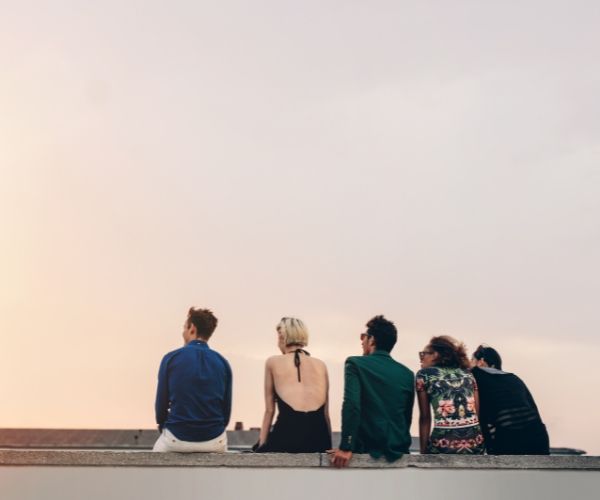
(435,162)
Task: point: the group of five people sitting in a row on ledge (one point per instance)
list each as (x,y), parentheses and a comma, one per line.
(473,406)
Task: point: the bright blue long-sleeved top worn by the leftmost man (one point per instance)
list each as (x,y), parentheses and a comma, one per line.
(193,397)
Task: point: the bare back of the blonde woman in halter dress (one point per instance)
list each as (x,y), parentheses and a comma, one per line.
(308,394)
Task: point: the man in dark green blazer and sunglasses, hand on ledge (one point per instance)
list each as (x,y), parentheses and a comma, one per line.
(378,399)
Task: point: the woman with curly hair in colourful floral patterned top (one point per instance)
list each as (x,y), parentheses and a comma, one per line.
(445,384)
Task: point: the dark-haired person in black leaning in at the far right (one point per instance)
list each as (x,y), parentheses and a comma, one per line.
(508,414)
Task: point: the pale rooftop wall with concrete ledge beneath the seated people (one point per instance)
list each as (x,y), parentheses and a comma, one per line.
(102,475)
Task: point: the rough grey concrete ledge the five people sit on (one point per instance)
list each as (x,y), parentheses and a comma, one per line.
(284,460)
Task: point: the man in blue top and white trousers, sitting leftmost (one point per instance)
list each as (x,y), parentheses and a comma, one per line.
(193,397)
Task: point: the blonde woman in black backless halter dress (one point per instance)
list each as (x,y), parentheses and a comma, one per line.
(298,383)
